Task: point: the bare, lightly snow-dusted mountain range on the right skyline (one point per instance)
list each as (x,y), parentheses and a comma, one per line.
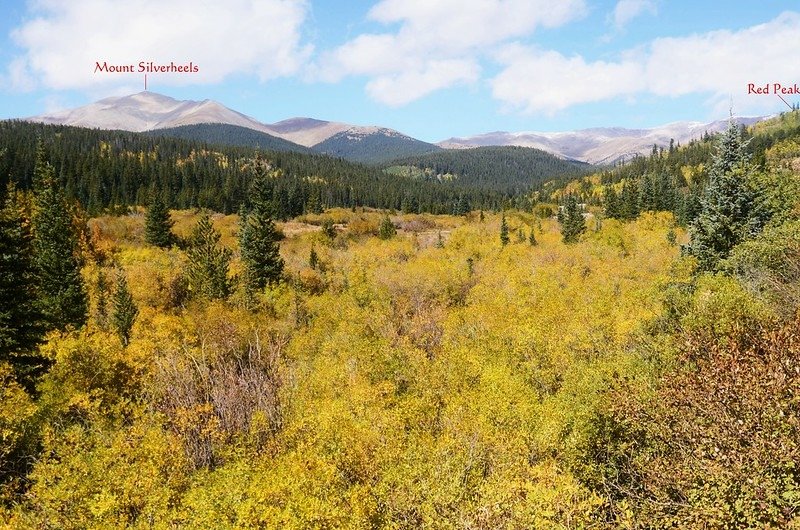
(597,145)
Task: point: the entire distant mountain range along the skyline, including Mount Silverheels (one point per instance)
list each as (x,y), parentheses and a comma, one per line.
(148,111)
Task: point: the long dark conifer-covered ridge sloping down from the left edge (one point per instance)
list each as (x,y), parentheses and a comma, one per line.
(111,169)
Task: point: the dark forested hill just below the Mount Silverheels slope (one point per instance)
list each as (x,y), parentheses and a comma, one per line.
(223,134)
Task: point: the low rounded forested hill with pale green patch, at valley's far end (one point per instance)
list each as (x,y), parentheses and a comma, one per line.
(511,169)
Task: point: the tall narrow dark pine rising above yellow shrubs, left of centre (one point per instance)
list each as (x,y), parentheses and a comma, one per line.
(259,237)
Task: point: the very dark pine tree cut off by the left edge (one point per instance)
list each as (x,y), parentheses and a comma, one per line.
(21,323)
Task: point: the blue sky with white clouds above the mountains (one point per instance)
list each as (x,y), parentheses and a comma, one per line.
(432,69)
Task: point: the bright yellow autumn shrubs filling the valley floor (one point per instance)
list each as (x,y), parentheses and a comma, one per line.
(421,386)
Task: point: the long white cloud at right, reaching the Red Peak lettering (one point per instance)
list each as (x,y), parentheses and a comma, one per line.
(719,64)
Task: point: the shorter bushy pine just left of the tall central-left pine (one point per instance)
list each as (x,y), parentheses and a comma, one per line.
(207,270)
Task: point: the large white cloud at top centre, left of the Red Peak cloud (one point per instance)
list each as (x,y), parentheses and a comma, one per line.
(438,43)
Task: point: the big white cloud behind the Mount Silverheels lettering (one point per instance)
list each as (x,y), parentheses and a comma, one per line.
(62,40)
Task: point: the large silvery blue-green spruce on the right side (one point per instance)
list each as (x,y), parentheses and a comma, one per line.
(729,209)
